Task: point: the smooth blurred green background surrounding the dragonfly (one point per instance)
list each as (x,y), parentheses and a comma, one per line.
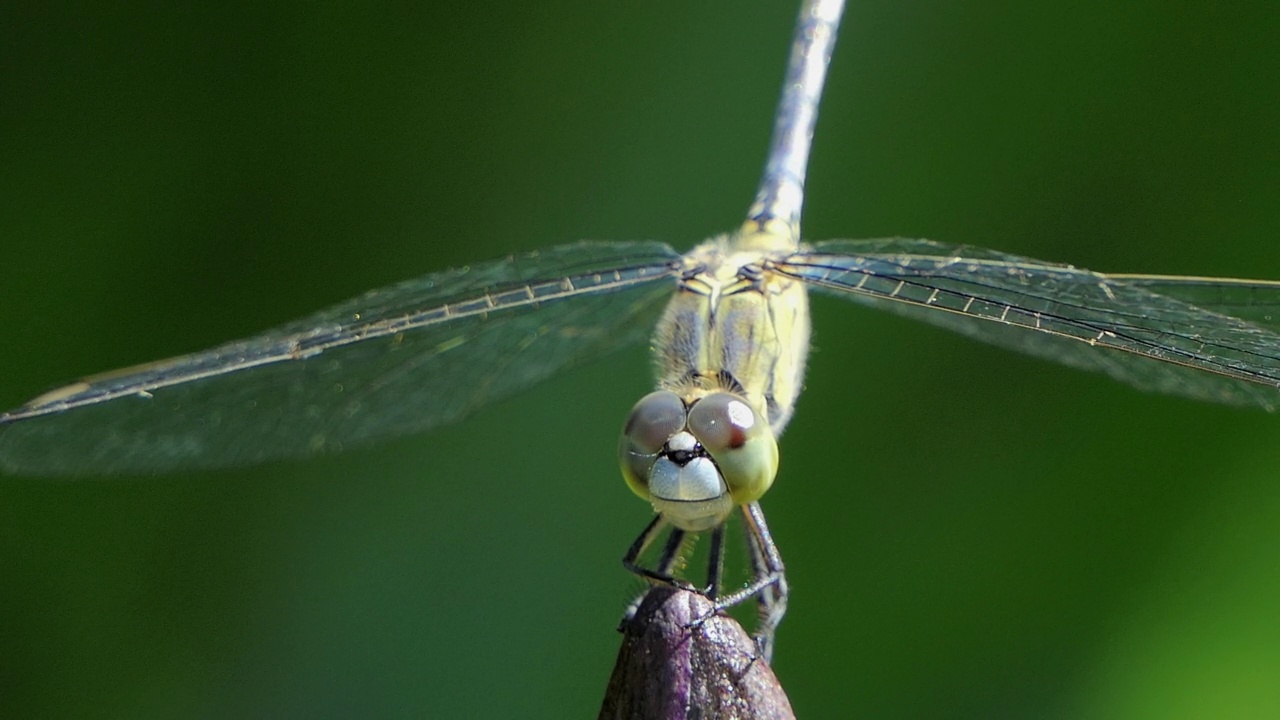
(970,534)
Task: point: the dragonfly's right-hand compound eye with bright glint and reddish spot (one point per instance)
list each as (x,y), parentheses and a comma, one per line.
(739,441)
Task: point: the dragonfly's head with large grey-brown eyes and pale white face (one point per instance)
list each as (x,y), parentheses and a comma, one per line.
(697,462)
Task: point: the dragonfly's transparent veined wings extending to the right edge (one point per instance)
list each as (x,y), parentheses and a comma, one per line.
(1205,339)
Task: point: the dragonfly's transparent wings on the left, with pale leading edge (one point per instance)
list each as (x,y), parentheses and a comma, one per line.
(388,363)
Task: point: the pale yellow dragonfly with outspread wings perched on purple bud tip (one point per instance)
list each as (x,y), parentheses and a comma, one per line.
(729,325)
